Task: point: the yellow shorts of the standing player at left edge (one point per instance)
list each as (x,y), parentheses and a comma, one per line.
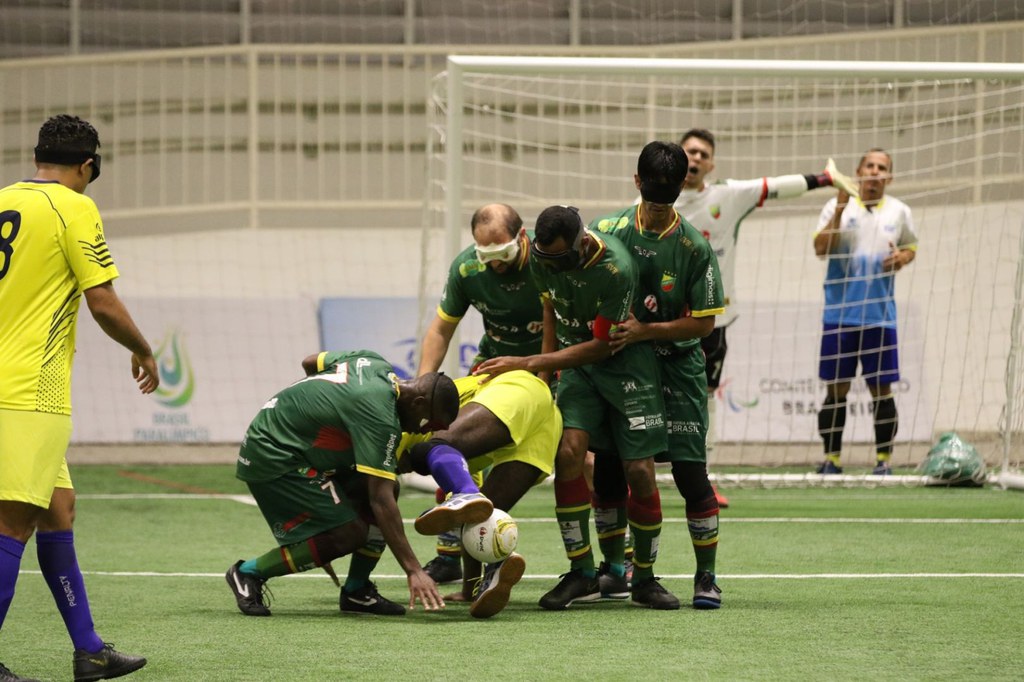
(33,456)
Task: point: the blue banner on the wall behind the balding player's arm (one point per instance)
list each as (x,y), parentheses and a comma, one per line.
(388,326)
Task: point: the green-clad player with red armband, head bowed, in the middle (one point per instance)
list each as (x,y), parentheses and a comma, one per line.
(588,283)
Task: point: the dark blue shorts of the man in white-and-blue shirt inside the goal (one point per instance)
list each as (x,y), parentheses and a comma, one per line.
(874,348)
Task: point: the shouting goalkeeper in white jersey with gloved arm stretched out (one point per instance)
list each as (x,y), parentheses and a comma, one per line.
(717,210)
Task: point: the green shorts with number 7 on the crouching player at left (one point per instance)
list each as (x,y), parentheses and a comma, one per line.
(302,504)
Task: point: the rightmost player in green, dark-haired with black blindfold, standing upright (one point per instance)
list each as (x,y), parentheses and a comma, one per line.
(680,295)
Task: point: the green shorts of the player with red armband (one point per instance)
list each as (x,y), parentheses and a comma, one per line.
(619,403)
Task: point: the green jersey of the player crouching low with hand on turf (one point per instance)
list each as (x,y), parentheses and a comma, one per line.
(345,419)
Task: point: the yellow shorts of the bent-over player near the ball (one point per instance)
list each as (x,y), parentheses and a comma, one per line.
(525,405)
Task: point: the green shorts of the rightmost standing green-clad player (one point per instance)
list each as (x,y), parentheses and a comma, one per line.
(686,385)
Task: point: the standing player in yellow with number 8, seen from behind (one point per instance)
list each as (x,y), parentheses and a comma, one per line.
(53,253)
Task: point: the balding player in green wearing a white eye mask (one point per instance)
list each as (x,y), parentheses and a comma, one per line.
(493,277)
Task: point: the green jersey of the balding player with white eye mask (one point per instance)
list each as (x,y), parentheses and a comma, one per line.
(509,304)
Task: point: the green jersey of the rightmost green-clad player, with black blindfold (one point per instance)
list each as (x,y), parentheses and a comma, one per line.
(678,272)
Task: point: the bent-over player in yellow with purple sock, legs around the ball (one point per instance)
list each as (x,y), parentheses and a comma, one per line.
(509,425)
